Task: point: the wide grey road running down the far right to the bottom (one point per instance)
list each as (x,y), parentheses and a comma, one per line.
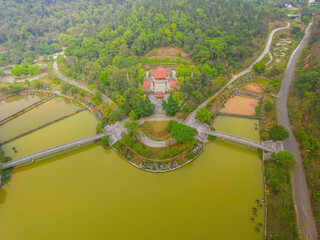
(306,223)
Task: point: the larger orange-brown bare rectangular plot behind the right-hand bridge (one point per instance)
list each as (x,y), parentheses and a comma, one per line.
(240,105)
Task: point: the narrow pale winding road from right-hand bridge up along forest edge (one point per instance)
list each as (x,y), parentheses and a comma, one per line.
(190,119)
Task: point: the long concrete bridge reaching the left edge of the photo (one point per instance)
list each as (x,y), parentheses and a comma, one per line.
(50,151)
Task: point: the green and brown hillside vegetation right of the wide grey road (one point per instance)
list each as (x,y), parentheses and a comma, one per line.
(304,111)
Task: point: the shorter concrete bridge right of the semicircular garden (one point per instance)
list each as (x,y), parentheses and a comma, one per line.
(240,140)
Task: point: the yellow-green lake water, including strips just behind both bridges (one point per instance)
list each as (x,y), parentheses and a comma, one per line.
(92,193)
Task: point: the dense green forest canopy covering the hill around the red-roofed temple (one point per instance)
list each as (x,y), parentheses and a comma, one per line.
(106,40)
